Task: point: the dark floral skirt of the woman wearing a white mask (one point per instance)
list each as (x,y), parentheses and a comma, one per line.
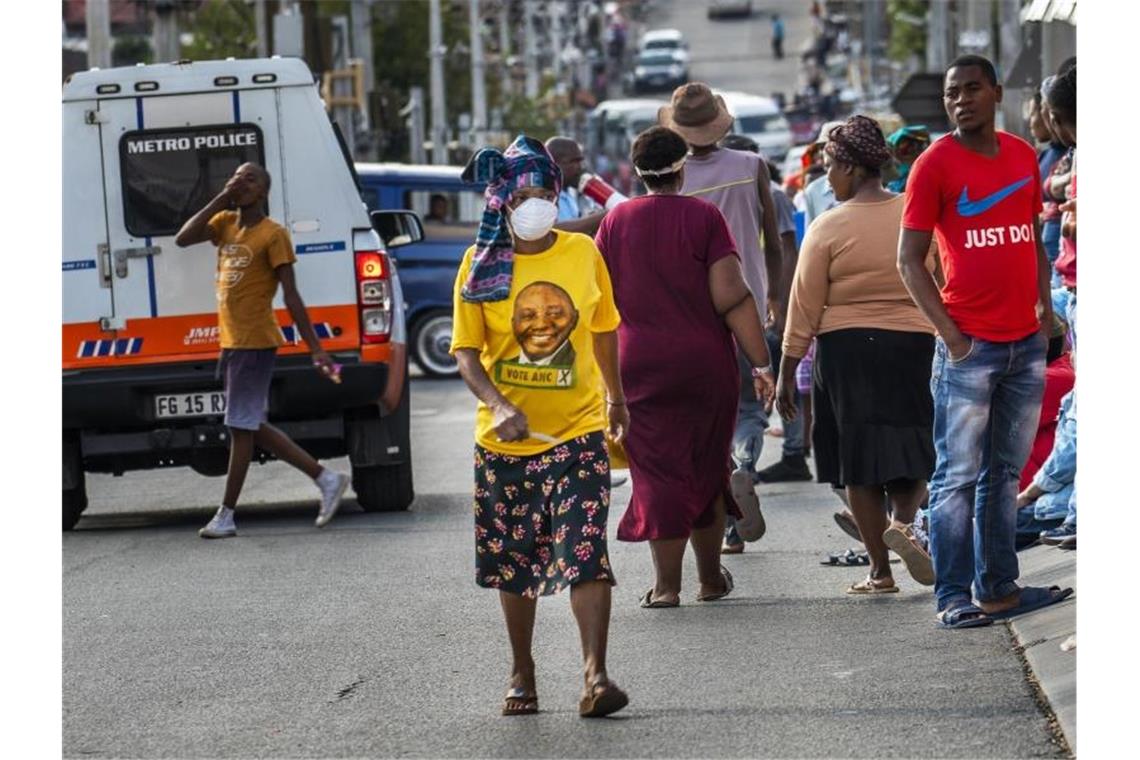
(541,520)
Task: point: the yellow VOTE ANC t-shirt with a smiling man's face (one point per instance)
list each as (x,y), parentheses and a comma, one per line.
(538,346)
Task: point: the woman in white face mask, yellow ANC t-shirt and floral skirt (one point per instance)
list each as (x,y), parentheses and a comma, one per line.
(535,340)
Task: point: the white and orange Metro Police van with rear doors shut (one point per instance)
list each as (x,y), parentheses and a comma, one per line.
(145,148)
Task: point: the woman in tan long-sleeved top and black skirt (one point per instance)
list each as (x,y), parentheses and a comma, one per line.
(872,386)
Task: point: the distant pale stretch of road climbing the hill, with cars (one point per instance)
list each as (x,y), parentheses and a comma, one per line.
(736,54)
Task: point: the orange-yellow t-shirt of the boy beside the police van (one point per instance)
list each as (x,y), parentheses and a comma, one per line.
(247,281)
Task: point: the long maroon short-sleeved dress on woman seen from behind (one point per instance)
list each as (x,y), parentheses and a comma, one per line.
(679,362)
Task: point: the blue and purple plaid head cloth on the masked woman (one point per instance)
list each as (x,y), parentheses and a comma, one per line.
(525,164)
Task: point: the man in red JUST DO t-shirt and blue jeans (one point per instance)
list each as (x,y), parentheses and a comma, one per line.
(979,191)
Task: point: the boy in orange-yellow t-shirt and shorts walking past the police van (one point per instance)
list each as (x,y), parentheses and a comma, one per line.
(255,257)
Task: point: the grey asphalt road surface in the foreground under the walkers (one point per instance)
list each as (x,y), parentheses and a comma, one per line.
(370,639)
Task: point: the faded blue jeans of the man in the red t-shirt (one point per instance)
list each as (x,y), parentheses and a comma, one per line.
(986,418)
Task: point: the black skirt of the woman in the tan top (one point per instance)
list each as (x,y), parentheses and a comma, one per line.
(872,407)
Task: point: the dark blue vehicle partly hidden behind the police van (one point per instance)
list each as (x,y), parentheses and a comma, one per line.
(451,211)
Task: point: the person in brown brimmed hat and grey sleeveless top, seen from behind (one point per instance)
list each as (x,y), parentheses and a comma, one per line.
(738,184)
